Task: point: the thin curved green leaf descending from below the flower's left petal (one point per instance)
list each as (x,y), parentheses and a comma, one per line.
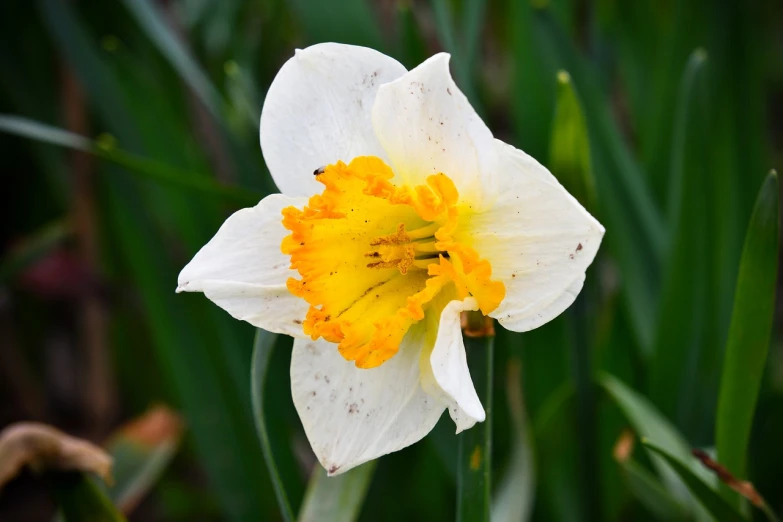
(262,354)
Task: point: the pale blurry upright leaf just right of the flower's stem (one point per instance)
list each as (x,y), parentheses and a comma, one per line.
(516,493)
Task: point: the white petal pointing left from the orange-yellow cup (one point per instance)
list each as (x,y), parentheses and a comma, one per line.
(243,271)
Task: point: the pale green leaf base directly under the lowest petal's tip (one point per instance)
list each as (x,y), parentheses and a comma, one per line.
(336,499)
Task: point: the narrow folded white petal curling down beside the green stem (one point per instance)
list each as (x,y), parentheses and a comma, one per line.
(450,368)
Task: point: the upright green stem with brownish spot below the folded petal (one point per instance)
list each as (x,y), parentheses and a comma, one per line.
(474,467)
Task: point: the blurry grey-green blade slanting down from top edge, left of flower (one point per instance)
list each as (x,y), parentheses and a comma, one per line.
(172,48)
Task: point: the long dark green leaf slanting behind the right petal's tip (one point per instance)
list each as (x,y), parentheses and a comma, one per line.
(637,236)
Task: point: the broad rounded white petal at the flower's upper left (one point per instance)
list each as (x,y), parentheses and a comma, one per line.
(317,111)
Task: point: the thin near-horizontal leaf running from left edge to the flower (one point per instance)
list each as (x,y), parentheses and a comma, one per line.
(144,167)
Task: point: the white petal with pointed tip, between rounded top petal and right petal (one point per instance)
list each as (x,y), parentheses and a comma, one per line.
(427,126)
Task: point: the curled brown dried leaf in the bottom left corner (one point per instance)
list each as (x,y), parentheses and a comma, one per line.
(43,447)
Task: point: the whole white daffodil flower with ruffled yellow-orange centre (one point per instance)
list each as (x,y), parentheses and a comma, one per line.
(398,211)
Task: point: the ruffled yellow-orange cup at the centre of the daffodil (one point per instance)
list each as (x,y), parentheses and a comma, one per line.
(373,256)
